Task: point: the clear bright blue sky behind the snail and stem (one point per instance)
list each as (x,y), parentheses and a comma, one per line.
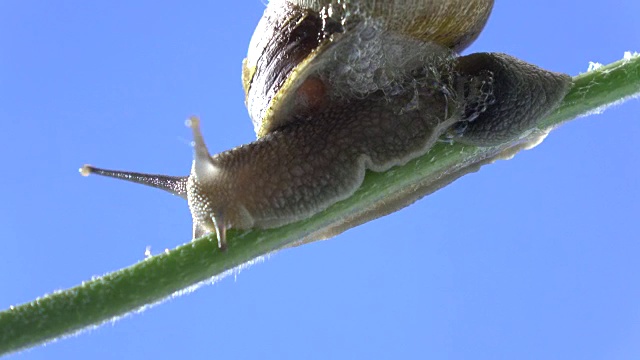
(533,258)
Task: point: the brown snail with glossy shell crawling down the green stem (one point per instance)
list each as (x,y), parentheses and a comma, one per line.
(335,88)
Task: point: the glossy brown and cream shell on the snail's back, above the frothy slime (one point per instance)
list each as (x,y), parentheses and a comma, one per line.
(292,33)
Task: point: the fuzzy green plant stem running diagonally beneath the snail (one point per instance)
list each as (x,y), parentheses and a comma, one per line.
(159,277)
